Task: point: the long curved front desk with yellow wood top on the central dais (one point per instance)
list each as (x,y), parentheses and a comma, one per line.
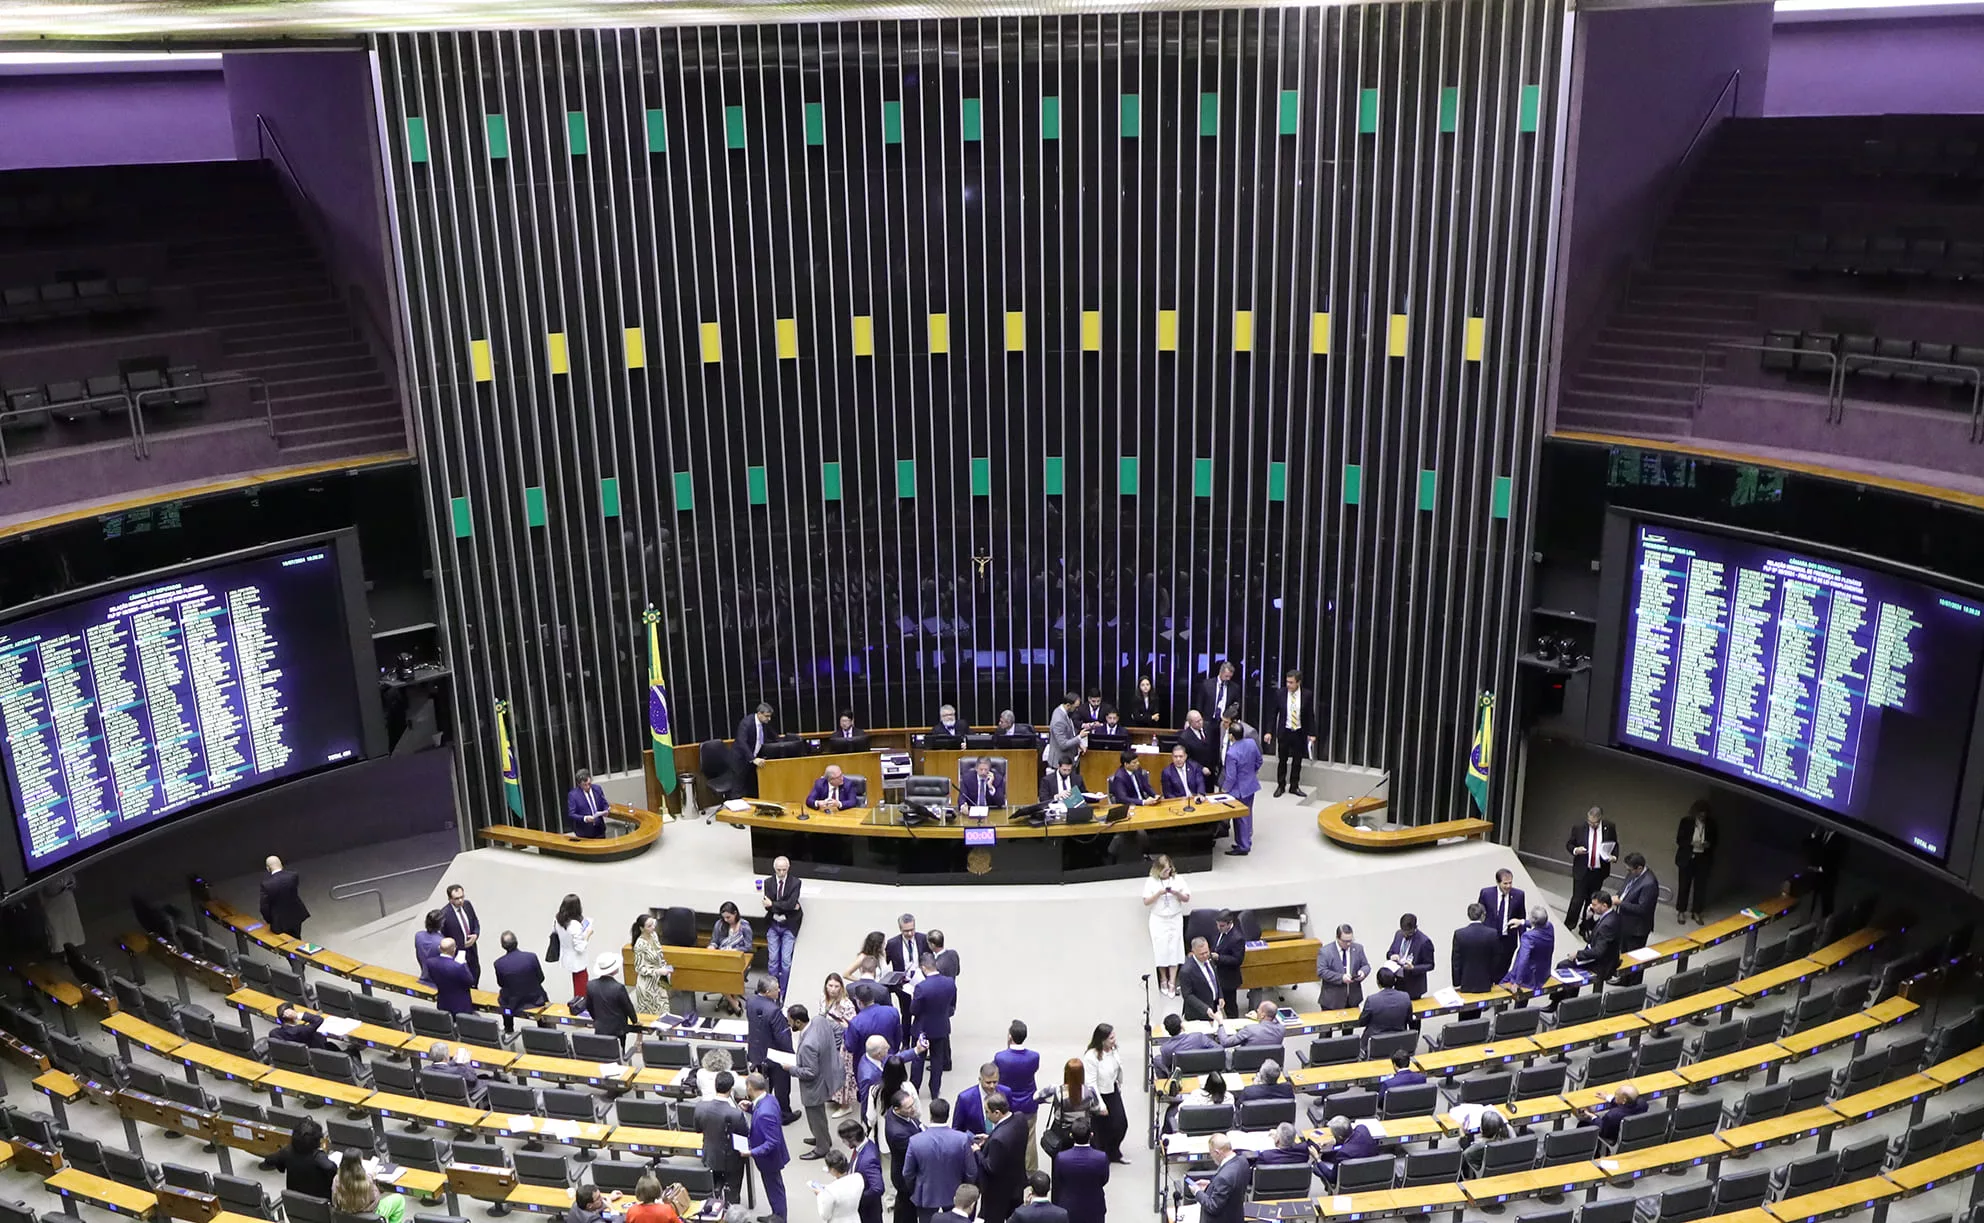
(874,845)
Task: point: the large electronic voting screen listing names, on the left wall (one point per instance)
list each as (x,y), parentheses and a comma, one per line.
(140,704)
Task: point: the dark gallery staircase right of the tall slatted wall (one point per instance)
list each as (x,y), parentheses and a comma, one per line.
(1715,257)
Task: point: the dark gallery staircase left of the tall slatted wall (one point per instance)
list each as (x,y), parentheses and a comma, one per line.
(267,291)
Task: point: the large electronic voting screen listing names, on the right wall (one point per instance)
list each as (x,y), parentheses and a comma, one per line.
(1834,684)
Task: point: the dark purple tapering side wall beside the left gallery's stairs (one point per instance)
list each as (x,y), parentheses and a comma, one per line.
(320,104)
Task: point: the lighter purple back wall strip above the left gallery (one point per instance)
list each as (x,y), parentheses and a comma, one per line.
(98,118)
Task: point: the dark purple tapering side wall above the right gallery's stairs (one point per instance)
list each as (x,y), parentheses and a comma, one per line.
(1642,84)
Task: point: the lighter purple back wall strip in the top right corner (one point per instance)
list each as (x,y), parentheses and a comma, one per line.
(1882,67)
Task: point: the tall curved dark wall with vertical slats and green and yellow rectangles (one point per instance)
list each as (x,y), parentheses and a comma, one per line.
(973,360)
